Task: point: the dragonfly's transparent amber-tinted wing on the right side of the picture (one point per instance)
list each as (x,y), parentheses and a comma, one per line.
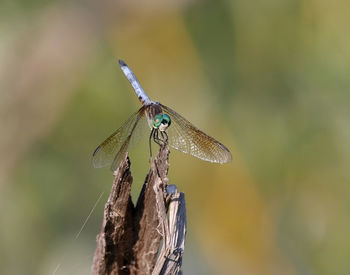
(186,138)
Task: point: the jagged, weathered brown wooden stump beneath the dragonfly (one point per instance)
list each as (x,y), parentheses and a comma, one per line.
(130,237)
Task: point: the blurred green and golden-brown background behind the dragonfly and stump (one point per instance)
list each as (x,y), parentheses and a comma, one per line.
(269,79)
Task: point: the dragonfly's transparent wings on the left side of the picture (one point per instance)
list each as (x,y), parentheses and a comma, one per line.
(112,150)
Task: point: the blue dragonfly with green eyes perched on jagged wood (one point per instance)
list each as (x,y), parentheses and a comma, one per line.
(166,127)
